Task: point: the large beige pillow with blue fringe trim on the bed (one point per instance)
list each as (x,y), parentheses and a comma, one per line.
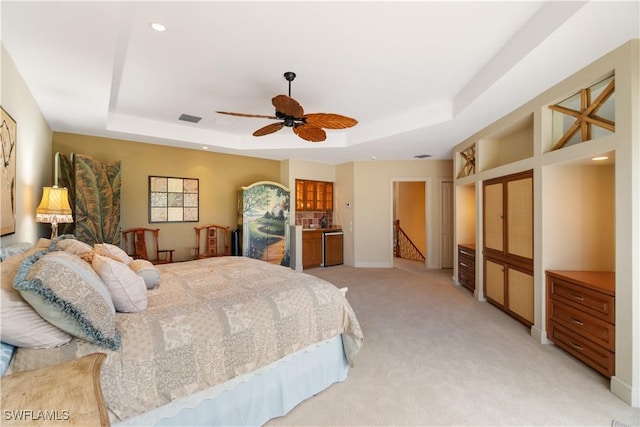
(66,291)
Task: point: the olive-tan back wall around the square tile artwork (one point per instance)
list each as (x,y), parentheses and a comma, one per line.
(219,175)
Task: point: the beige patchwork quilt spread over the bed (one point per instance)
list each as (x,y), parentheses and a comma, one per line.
(207,322)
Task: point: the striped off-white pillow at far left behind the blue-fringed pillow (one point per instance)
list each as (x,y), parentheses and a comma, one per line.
(21,325)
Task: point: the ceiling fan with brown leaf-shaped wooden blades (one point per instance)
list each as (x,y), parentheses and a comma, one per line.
(306,126)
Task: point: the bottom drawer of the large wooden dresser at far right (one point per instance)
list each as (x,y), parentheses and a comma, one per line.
(597,357)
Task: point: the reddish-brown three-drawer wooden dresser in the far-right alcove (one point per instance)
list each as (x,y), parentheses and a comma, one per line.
(581,316)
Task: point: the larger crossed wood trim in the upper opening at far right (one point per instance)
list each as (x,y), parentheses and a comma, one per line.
(587,116)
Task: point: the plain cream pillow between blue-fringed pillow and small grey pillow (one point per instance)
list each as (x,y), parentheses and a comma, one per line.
(128,290)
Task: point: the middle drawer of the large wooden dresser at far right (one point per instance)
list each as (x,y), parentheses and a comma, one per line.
(597,330)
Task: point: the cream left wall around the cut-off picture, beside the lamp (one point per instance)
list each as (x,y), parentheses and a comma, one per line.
(33,153)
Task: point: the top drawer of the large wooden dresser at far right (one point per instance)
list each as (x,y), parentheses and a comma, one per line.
(593,302)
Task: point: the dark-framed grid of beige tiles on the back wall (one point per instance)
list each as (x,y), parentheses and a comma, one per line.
(173,199)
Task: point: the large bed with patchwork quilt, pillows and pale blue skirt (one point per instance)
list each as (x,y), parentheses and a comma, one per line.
(216,341)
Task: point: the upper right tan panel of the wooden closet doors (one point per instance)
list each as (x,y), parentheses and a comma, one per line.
(520,217)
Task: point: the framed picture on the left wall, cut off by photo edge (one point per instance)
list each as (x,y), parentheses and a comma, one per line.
(8,176)
